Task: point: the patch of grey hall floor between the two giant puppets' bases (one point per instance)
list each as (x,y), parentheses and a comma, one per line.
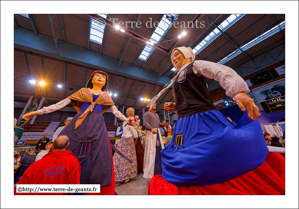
(136,186)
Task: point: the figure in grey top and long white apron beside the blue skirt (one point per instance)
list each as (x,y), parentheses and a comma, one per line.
(153,144)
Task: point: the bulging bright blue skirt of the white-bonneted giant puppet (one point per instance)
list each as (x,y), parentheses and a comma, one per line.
(213,150)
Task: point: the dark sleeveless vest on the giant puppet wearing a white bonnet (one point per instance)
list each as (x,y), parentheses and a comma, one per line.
(191,93)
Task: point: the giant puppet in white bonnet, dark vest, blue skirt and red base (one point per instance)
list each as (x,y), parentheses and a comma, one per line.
(208,154)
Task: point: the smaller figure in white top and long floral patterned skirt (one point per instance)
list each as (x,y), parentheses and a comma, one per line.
(124,170)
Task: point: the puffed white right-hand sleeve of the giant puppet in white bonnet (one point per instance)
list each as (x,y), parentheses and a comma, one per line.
(229,80)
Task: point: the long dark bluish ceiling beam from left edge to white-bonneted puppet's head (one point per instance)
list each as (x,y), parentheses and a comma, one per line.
(43,45)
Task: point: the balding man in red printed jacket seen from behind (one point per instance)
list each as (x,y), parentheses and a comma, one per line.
(57,167)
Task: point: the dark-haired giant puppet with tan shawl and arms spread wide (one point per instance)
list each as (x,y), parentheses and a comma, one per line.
(87,131)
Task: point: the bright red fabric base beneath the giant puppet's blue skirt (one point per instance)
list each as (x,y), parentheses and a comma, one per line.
(268,179)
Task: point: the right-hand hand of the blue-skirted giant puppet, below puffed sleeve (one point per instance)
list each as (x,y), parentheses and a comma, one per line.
(245,102)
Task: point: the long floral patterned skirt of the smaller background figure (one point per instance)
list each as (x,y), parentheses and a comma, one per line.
(123,169)
